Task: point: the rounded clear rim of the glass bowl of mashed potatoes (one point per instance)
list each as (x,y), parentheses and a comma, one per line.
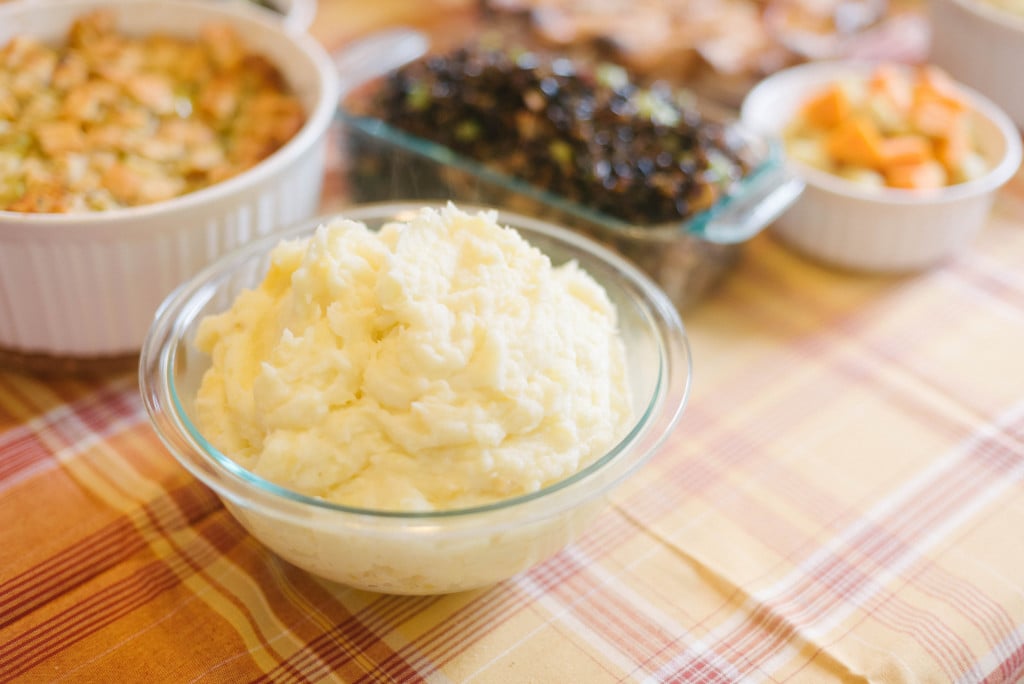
(160,396)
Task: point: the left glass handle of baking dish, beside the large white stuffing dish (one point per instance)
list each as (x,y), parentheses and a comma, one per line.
(377,55)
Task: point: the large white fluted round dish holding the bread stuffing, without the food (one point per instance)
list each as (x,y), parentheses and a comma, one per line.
(86,286)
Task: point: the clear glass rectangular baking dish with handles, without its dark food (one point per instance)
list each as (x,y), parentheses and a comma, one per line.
(687,259)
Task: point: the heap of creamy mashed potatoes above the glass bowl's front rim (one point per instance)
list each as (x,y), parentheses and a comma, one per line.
(439,364)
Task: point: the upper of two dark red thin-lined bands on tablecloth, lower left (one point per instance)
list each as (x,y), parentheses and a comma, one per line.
(95,554)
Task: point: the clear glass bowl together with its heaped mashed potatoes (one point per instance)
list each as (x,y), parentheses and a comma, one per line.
(416,400)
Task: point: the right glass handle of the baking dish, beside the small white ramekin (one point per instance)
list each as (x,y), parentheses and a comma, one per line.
(747,216)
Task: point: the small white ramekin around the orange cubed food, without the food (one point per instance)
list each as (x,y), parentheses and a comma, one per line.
(886,230)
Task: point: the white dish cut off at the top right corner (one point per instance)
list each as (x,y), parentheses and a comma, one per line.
(984,48)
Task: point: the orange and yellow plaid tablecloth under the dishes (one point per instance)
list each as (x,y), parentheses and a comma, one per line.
(843,501)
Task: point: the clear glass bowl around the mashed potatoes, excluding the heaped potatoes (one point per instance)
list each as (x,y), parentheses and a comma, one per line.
(404,552)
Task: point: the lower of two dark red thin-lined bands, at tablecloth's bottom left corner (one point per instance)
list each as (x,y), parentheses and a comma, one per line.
(108,606)
